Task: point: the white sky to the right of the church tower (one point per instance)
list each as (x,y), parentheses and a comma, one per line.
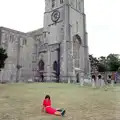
(103,26)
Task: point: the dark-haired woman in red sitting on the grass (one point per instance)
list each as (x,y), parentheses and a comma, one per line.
(46,107)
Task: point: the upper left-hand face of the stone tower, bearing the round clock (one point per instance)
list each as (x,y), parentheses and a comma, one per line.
(54,20)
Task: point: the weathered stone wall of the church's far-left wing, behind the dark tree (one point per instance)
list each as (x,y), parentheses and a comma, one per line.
(19,47)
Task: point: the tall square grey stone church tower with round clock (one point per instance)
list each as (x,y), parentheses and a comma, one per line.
(66,36)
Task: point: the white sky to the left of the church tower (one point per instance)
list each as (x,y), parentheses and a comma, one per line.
(23,15)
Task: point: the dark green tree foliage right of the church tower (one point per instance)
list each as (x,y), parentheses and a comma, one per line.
(102,64)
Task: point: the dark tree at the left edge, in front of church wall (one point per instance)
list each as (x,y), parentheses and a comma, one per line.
(3,57)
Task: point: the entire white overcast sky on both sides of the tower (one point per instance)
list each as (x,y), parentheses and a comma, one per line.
(103,21)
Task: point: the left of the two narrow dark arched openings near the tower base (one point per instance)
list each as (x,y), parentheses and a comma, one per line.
(41,65)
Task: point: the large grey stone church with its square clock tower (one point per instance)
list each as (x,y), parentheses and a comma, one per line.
(57,52)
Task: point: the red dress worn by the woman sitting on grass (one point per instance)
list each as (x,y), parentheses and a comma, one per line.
(48,108)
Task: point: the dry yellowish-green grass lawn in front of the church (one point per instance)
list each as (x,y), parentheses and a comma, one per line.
(22,102)
